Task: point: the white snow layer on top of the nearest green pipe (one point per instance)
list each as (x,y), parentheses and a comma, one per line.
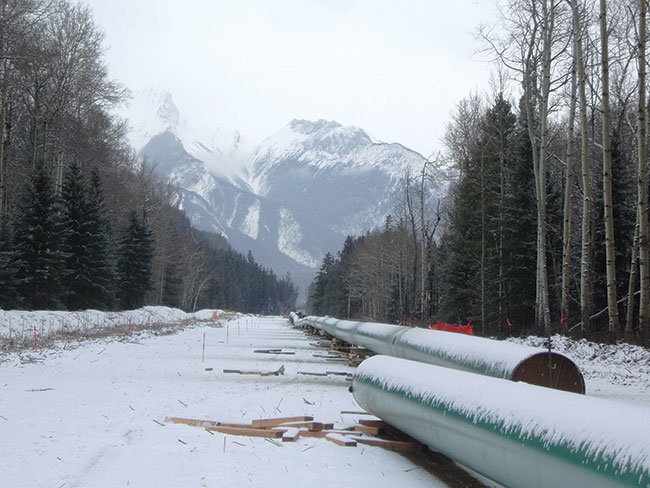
(609,431)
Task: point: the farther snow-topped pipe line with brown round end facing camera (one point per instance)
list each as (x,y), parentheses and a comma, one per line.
(488,357)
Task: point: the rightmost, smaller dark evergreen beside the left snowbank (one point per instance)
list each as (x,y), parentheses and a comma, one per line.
(135,255)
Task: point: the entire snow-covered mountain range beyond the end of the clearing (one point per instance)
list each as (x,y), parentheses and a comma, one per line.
(289,200)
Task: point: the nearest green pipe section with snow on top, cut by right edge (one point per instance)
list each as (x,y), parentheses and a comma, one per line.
(516,434)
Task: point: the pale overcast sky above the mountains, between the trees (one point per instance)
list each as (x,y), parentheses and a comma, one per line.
(395,68)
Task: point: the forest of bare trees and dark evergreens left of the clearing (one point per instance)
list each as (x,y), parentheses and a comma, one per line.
(84,223)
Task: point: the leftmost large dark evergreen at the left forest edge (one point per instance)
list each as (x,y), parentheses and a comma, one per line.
(39,239)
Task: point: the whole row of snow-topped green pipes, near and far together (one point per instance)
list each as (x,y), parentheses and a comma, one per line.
(448,391)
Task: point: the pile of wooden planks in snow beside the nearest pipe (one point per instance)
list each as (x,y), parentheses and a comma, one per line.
(289,429)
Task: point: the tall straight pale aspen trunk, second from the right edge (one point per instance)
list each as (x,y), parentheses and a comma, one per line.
(610,246)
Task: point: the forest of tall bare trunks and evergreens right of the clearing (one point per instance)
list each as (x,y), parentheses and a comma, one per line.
(534,217)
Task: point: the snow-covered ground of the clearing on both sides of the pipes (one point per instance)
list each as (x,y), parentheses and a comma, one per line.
(92,413)
